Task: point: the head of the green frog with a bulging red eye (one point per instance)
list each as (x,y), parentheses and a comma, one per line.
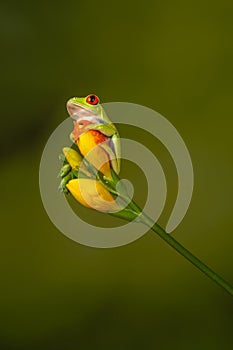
(88,106)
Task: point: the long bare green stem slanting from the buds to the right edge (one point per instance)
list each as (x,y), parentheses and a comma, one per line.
(187,254)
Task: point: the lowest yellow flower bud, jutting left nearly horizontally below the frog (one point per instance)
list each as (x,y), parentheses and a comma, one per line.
(92,194)
